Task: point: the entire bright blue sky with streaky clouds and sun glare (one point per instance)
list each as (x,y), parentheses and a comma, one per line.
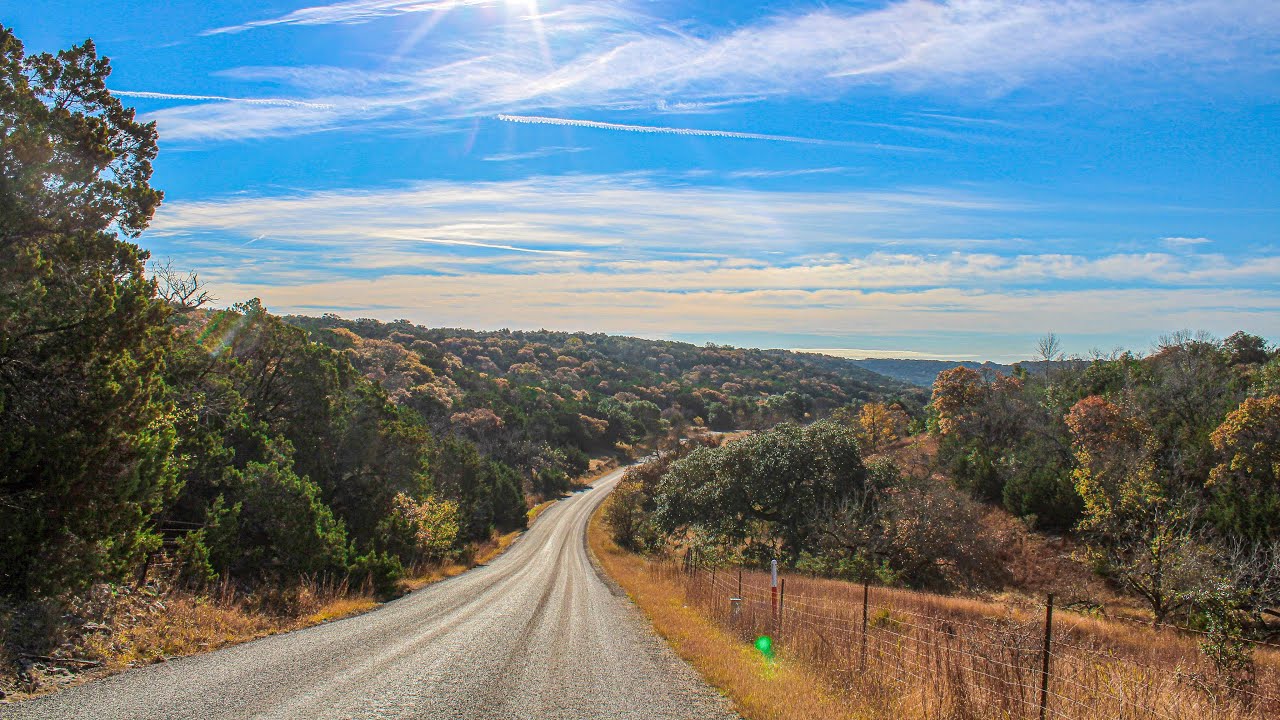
(915,179)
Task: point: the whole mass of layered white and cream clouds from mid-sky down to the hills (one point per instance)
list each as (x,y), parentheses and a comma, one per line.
(624,254)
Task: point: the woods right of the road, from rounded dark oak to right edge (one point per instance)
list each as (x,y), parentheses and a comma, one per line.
(1163,470)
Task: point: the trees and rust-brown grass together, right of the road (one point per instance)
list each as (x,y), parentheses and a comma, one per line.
(1141,491)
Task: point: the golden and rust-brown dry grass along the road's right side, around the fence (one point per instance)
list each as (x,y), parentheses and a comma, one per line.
(930,657)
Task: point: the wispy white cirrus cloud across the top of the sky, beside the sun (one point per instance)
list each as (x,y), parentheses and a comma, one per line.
(609,57)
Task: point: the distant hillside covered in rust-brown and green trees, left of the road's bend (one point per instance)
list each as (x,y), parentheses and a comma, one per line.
(592,391)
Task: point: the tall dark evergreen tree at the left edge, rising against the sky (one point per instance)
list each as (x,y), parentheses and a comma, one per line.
(85,436)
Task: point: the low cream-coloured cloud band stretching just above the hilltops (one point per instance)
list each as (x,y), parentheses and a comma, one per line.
(556,303)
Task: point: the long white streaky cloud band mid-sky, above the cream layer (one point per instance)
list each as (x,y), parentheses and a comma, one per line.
(609,217)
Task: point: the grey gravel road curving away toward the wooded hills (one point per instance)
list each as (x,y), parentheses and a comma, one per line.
(534,635)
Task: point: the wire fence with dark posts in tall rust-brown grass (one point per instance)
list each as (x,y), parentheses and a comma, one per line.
(956,659)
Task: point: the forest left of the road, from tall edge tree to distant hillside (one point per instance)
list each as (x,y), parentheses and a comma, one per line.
(144,432)
